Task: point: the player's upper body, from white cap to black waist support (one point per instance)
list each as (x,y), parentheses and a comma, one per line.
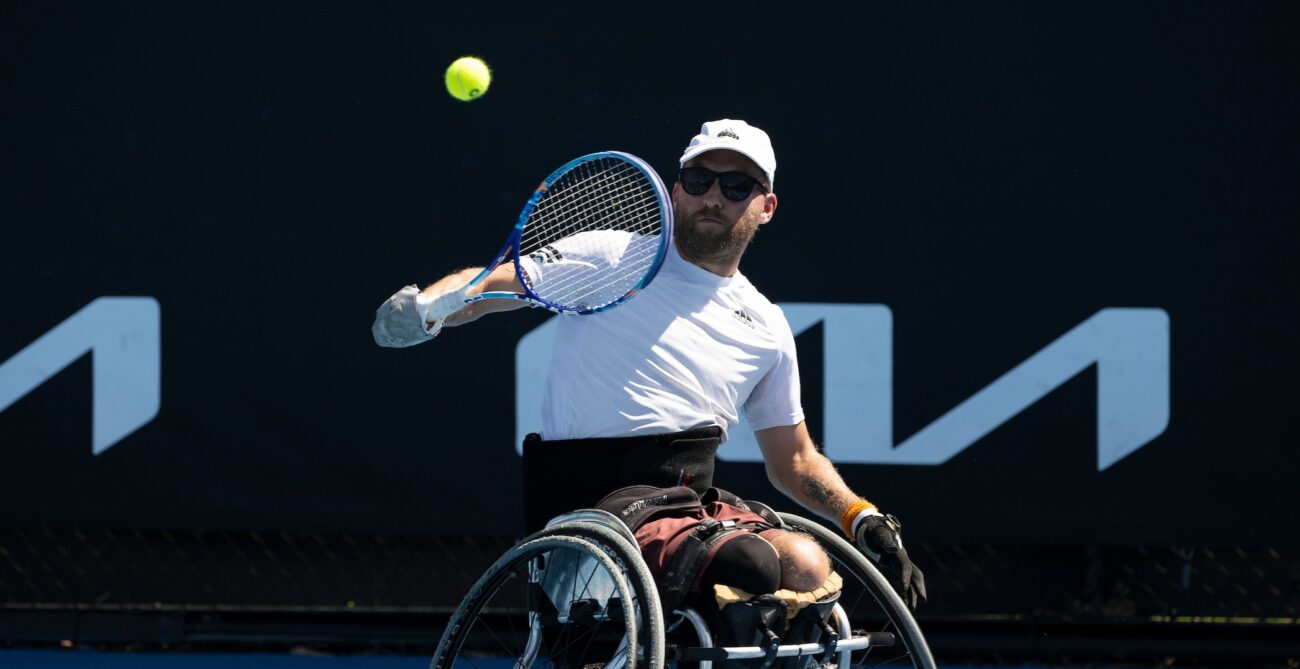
(644,394)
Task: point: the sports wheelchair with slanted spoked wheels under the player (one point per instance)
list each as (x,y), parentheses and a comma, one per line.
(578,596)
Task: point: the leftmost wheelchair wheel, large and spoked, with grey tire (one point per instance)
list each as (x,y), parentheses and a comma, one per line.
(554,602)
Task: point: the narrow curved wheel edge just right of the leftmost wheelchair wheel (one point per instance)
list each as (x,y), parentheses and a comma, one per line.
(627,557)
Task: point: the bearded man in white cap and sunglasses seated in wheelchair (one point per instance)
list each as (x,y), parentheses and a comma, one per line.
(640,398)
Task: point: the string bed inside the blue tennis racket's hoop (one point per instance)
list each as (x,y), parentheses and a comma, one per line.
(608,197)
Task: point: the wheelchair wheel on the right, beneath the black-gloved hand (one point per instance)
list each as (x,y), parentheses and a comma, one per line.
(870,602)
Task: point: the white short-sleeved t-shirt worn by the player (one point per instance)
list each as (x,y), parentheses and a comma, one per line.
(692,350)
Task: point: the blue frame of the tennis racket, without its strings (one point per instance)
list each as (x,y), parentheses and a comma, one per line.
(512,247)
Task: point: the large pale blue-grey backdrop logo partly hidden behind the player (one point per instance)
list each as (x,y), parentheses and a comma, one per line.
(1130,349)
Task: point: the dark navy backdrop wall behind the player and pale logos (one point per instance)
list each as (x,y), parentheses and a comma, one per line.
(995,173)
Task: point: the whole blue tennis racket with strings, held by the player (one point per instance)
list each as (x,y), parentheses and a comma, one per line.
(593,234)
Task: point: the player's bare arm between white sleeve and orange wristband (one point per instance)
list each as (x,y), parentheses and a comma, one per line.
(796,468)
